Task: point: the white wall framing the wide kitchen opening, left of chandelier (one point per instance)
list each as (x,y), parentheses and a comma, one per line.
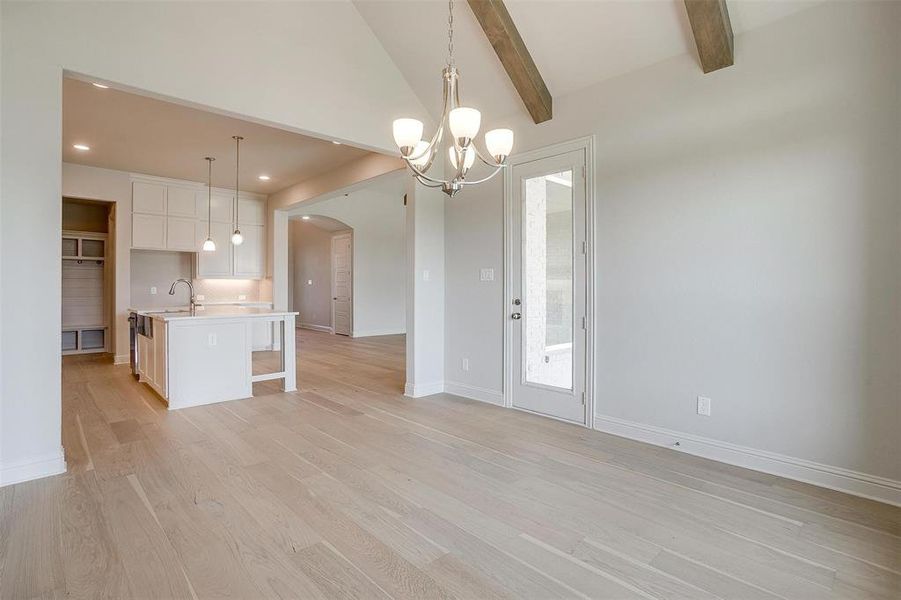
(172,50)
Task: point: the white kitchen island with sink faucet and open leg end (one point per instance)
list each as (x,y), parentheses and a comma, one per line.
(206,356)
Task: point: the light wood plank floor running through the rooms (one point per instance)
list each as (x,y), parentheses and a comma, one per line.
(346,489)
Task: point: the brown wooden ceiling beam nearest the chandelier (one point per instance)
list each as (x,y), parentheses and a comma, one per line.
(501,32)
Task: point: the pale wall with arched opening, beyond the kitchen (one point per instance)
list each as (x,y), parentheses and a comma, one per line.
(379,262)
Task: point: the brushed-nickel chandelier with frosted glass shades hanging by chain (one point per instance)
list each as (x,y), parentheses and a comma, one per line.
(463,123)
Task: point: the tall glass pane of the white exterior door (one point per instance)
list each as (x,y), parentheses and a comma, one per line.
(548,280)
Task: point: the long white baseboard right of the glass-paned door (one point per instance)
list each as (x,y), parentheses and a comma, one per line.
(873,487)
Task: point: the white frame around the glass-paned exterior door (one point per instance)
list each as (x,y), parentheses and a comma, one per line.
(585,144)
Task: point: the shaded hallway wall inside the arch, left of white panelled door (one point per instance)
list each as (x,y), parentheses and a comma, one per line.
(310,267)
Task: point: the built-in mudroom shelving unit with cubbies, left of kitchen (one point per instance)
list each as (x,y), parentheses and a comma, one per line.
(85,327)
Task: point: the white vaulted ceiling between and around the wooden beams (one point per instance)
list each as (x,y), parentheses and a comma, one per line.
(575,44)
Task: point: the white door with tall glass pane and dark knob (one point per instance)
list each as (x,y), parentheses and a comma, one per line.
(547,307)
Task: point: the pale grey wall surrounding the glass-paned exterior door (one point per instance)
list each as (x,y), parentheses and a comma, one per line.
(748,242)
